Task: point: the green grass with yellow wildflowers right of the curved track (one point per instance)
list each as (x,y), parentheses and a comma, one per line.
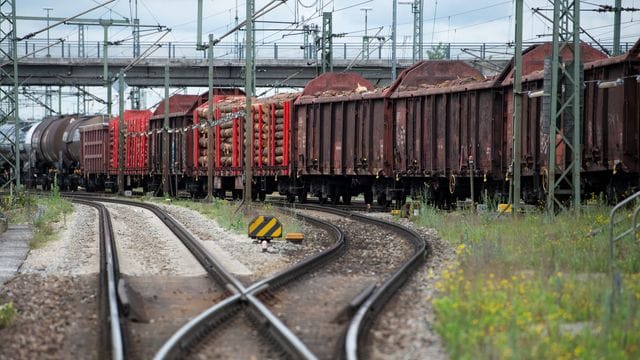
(531,287)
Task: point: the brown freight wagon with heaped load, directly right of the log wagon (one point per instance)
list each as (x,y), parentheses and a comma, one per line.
(341,133)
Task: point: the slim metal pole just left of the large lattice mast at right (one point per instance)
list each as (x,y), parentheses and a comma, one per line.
(517,110)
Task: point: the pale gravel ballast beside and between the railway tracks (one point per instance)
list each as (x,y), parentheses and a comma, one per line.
(57,284)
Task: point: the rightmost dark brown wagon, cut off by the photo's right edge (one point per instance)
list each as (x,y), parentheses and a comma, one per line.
(611,125)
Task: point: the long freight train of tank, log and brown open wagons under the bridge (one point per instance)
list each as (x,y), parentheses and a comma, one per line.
(439,130)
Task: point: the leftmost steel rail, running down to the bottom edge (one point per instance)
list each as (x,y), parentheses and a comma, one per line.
(109,276)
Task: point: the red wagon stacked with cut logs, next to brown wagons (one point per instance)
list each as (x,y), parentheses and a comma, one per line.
(271,143)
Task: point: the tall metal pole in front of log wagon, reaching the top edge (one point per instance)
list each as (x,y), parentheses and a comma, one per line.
(248,148)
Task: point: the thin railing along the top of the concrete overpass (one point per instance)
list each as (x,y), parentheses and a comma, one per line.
(378,50)
